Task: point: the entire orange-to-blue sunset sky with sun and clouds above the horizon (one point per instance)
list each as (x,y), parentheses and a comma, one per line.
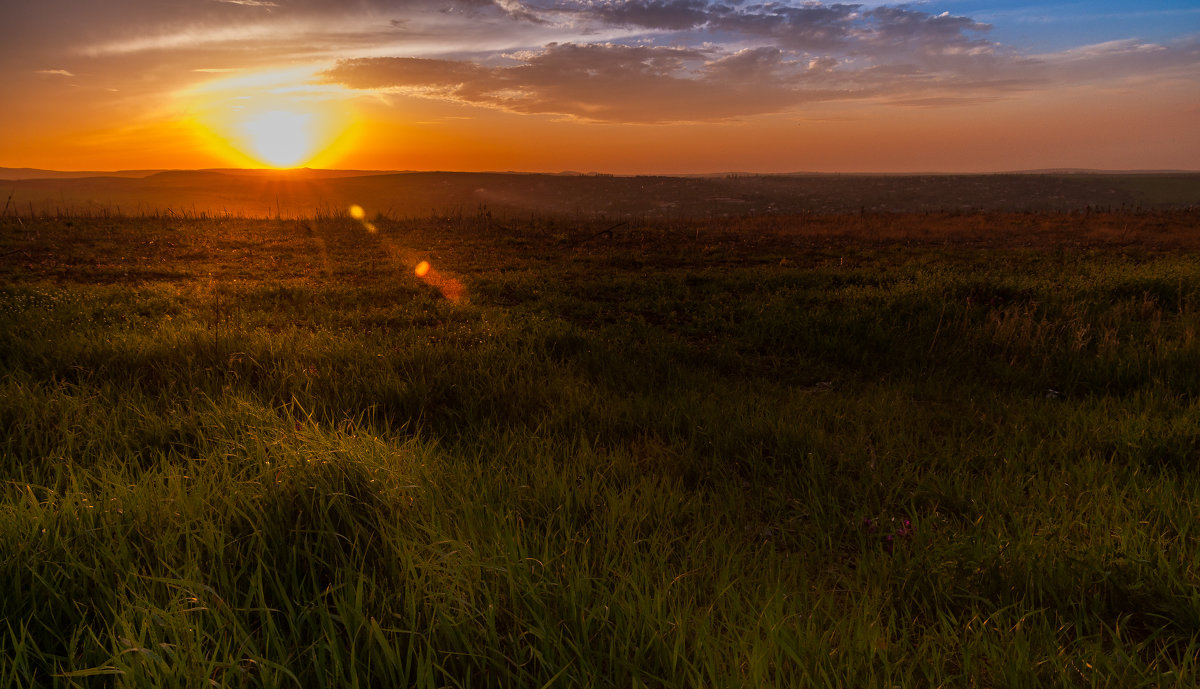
(639,87)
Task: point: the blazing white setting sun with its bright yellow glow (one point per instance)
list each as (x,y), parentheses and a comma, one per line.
(273,119)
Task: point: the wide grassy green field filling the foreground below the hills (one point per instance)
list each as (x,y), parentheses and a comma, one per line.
(862,450)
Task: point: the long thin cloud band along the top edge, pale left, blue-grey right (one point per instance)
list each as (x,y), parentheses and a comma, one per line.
(332,27)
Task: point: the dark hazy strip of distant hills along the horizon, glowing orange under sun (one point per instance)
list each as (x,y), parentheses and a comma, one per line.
(305,194)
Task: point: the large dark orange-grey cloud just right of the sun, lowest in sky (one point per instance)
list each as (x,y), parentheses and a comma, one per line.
(608,82)
